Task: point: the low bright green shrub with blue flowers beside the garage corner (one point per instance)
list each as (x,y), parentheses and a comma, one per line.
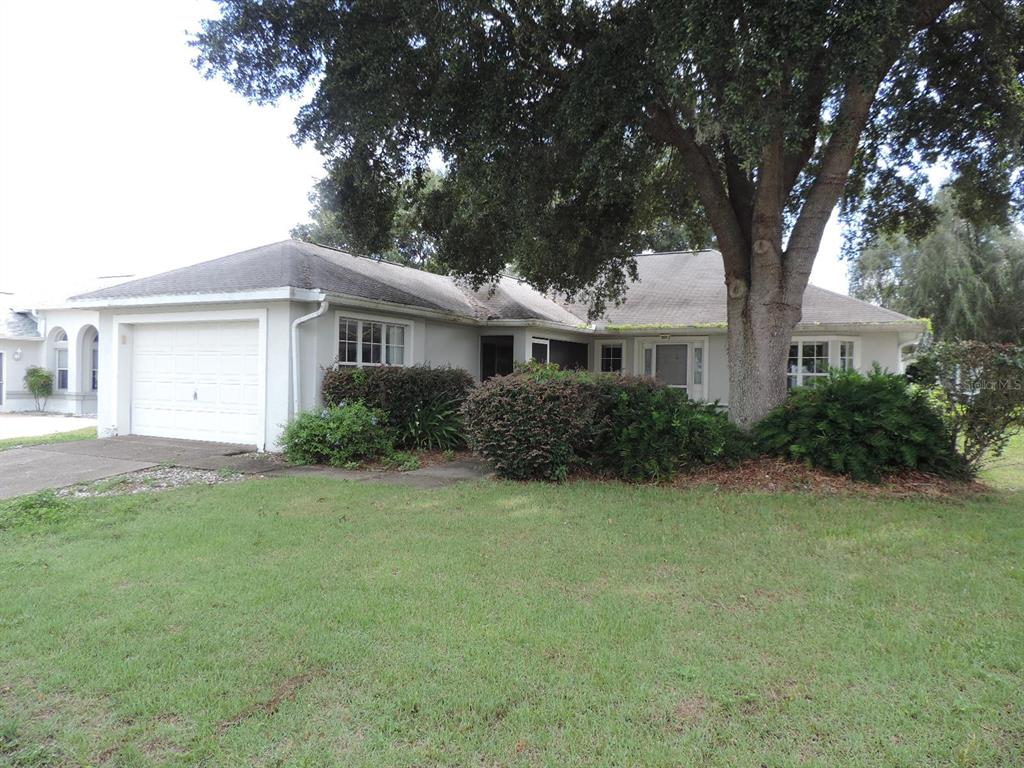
(338,436)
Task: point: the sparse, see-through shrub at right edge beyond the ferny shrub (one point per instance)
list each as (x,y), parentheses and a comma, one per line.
(980,390)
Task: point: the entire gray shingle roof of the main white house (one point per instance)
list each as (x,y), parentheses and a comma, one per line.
(675,289)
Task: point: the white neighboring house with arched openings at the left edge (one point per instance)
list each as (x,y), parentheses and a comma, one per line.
(63,340)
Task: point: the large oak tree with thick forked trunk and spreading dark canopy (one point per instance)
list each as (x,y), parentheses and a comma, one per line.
(570,127)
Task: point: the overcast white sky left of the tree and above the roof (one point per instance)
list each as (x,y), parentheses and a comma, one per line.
(118,158)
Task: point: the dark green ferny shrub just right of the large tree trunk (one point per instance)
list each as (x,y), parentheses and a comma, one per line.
(862,426)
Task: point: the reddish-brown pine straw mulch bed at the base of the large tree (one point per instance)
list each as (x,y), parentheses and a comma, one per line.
(767,475)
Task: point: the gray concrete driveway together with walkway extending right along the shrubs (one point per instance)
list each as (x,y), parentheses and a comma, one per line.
(37,468)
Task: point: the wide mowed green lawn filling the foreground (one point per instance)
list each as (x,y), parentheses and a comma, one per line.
(300,622)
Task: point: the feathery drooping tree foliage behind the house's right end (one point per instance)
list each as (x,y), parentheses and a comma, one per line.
(969,280)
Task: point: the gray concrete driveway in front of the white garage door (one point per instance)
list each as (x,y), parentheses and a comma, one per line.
(37,468)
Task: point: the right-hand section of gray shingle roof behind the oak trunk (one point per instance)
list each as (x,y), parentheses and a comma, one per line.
(689,289)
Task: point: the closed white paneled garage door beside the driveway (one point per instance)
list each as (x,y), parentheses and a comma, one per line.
(198,381)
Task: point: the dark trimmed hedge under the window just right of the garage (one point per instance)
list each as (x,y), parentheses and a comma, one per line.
(422,403)
